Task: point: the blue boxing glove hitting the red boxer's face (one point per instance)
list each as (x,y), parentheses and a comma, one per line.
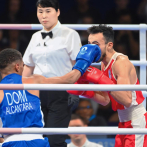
(88,53)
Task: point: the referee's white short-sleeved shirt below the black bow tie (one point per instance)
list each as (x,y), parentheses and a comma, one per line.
(54,59)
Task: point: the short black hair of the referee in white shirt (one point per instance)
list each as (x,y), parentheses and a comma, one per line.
(48,3)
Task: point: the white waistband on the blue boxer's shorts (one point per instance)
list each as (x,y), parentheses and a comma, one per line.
(21,137)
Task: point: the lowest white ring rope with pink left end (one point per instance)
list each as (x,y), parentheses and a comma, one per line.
(74,130)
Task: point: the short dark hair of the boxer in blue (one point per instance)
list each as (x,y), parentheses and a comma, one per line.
(8,56)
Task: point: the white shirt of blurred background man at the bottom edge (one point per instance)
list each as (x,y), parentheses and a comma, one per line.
(86,144)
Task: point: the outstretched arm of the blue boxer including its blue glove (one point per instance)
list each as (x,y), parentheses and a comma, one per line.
(88,53)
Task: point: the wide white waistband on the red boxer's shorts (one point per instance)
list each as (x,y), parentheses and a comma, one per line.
(131,113)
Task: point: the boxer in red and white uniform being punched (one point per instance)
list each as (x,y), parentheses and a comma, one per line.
(116,69)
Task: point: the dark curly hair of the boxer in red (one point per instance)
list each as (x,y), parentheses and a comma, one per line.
(106,30)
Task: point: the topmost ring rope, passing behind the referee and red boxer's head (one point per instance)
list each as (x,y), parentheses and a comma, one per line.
(73,26)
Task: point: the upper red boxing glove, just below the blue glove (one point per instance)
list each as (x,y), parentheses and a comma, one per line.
(96,76)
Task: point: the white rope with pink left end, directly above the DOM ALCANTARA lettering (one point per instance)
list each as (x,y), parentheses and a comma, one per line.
(81,87)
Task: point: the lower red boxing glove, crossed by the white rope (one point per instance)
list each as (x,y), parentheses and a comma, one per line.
(87,94)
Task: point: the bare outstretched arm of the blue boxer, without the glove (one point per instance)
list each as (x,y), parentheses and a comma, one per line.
(69,78)
